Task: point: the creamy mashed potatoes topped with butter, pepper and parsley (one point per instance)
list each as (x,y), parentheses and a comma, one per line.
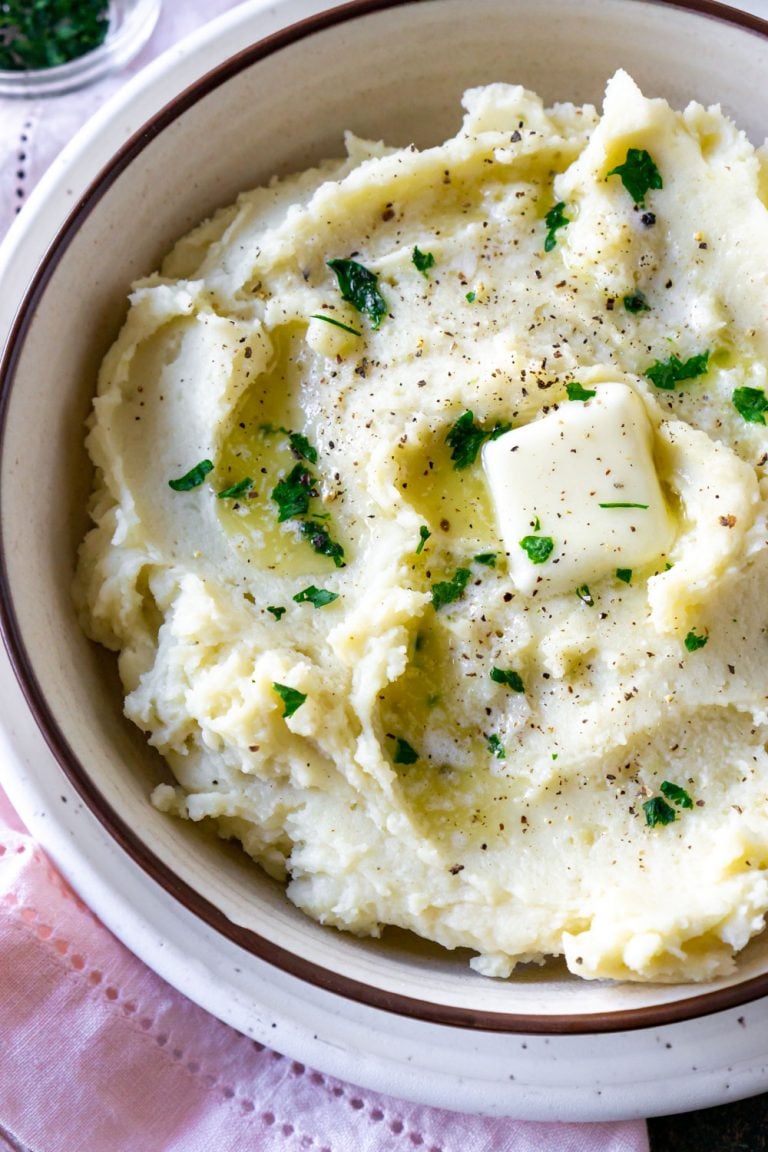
(431,532)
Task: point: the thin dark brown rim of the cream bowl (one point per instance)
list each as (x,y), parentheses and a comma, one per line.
(626,1020)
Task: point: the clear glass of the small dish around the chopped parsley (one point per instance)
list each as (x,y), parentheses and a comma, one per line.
(132,24)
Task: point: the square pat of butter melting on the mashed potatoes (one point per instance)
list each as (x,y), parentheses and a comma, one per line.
(556,478)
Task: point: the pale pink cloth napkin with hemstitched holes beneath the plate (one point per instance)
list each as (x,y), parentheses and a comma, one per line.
(97,1054)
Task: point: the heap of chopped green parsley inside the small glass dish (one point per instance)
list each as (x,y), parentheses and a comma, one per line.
(49,33)
